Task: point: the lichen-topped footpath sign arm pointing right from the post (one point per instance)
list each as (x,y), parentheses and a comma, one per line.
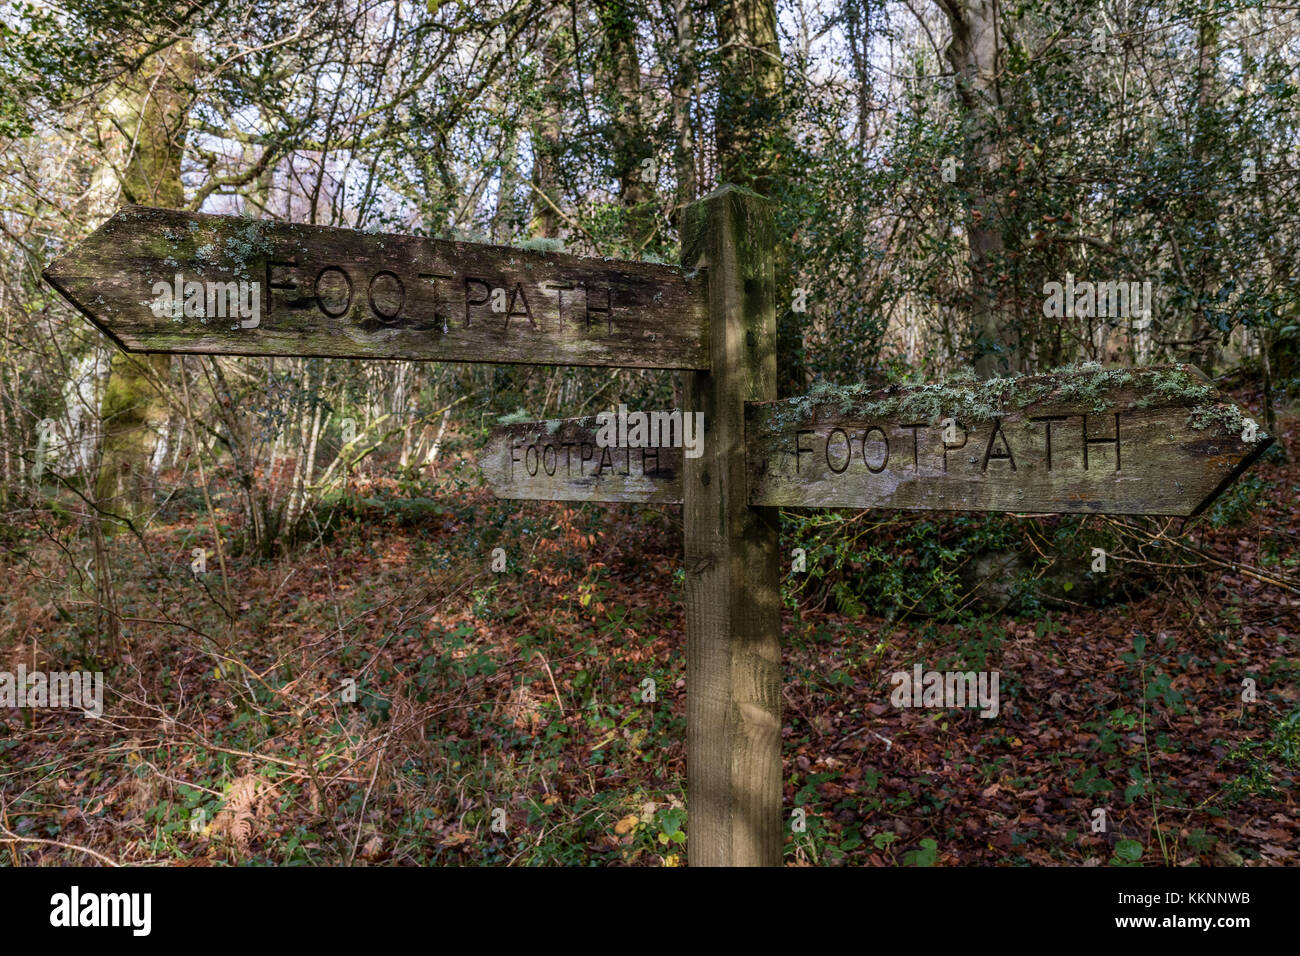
(1158,442)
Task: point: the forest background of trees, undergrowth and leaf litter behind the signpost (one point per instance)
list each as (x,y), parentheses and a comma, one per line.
(934,166)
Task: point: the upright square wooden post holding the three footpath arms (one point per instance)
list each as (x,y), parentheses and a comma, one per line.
(733,589)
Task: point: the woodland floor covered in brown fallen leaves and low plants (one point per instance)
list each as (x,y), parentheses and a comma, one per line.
(227,739)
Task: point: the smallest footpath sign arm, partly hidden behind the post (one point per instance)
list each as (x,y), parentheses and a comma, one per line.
(562,461)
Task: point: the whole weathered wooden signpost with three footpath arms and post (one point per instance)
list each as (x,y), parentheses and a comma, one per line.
(1084,442)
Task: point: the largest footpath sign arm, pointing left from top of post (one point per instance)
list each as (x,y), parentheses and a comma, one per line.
(341,293)
